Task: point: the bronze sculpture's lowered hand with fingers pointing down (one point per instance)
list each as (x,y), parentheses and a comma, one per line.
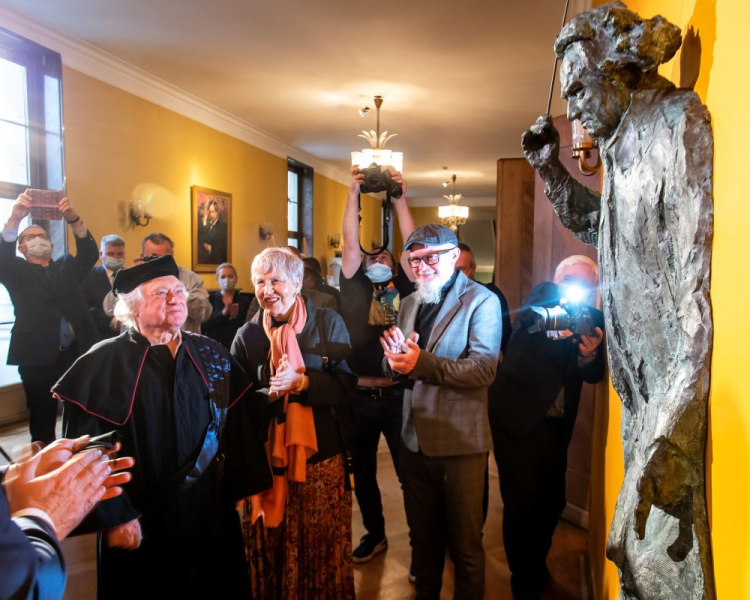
(668,482)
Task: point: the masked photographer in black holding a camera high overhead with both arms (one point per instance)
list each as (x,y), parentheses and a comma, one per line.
(372,289)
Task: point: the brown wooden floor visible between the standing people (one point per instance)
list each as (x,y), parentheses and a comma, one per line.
(386,576)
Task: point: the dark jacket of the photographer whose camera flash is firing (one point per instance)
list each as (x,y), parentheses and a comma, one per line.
(534,370)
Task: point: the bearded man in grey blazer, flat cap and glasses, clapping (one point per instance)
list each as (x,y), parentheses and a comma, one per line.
(446,345)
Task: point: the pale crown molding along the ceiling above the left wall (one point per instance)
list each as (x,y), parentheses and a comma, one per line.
(90,60)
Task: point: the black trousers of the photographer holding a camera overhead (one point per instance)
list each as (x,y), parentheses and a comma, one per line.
(374,414)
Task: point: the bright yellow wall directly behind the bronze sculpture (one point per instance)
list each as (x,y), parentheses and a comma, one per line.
(724,87)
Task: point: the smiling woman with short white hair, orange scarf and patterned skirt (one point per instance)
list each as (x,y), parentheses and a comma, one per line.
(302,546)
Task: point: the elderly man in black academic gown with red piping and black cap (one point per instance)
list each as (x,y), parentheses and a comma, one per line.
(184,411)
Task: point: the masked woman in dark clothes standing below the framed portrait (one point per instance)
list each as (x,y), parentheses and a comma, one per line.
(229,307)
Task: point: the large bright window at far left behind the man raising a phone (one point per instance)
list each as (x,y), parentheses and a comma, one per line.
(31,145)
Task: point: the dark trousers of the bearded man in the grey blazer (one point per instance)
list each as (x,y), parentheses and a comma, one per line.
(443,499)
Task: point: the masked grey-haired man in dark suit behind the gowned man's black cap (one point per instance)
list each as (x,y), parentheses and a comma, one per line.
(98,283)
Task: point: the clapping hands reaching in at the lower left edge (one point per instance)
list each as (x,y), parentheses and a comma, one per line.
(66,494)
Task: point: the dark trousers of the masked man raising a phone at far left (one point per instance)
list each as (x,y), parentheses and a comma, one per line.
(37,383)
